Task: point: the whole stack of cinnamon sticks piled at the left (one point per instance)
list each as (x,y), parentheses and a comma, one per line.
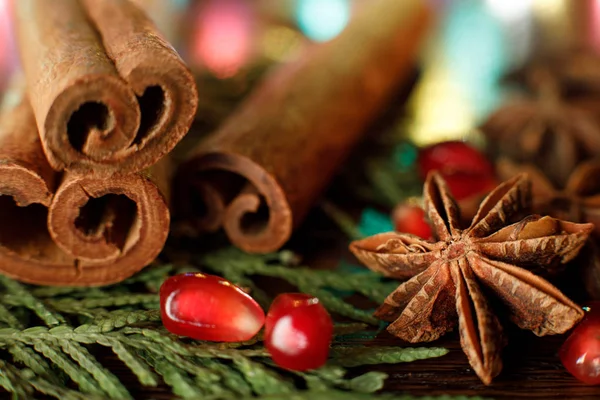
(80,145)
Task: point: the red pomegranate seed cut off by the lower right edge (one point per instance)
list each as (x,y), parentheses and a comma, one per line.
(580,354)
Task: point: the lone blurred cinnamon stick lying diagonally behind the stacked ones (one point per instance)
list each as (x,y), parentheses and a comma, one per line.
(258,175)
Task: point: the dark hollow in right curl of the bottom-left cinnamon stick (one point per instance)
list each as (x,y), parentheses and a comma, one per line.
(111,217)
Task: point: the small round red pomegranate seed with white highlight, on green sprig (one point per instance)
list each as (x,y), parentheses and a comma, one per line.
(298,332)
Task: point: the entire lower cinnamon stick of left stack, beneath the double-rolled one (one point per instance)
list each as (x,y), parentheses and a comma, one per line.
(72,229)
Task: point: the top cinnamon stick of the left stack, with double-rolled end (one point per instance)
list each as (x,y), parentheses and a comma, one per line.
(108,92)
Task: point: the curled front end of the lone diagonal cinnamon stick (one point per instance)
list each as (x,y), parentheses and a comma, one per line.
(230,191)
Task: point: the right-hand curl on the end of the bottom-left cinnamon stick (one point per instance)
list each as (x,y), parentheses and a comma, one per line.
(112,227)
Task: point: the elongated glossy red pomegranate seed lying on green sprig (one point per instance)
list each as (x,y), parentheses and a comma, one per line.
(208,307)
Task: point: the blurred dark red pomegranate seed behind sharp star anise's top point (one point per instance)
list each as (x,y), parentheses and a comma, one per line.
(451,157)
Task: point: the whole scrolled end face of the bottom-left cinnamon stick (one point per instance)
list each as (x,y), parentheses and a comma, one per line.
(95,231)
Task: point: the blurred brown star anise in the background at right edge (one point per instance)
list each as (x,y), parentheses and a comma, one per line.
(546,130)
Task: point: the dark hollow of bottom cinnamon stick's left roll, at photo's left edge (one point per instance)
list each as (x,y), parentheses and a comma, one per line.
(24,231)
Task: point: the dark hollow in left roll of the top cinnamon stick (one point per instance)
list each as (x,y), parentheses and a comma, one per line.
(92,121)
